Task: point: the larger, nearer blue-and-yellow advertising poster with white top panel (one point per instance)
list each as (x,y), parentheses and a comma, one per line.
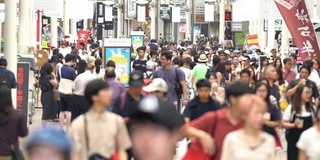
(118,50)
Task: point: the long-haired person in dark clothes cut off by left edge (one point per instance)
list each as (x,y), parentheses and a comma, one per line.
(12,124)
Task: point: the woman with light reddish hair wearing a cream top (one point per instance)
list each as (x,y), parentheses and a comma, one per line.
(250,142)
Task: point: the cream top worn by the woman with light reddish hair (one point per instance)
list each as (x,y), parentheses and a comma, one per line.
(235,148)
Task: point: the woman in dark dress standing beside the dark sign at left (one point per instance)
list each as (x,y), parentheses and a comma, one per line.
(48,82)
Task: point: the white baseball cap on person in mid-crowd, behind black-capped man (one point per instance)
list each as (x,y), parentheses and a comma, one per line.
(157,84)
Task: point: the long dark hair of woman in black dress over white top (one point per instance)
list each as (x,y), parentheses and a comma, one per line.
(296,100)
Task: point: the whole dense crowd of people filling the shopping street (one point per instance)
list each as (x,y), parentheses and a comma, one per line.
(230,104)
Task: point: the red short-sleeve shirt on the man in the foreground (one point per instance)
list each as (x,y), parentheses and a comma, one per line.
(224,126)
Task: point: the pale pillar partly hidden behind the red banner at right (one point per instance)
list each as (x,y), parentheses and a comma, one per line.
(284,41)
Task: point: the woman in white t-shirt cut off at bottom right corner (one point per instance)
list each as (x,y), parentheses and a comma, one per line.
(309,141)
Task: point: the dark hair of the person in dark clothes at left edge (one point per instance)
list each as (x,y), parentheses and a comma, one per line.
(6,106)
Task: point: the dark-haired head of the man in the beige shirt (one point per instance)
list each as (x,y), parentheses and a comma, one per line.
(97,92)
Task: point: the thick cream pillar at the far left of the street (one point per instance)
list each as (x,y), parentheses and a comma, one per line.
(10,43)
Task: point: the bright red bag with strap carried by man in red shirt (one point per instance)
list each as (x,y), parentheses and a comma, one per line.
(195,150)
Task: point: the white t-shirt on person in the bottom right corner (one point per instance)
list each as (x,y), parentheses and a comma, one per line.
(310,143)
